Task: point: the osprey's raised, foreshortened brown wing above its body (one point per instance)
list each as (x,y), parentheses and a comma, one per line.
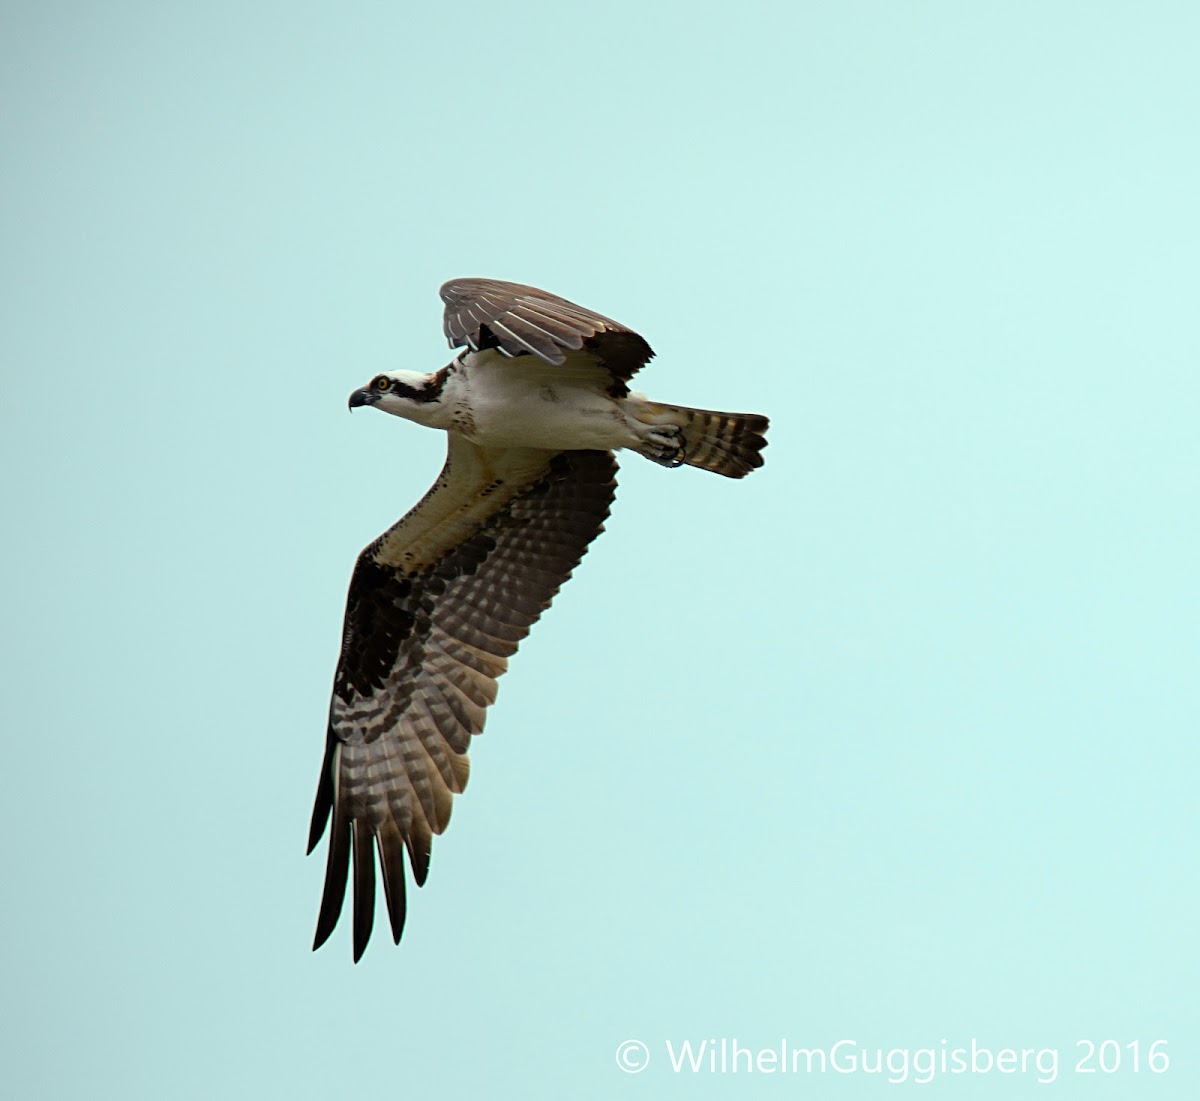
(521,321)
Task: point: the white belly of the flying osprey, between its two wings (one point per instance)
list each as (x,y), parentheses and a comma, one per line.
(557,418)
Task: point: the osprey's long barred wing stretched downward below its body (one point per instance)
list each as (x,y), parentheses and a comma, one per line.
(436,607)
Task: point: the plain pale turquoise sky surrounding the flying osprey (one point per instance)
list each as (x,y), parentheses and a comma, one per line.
(893,742)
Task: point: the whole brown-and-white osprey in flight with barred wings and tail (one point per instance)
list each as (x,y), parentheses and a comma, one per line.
(533,411)
